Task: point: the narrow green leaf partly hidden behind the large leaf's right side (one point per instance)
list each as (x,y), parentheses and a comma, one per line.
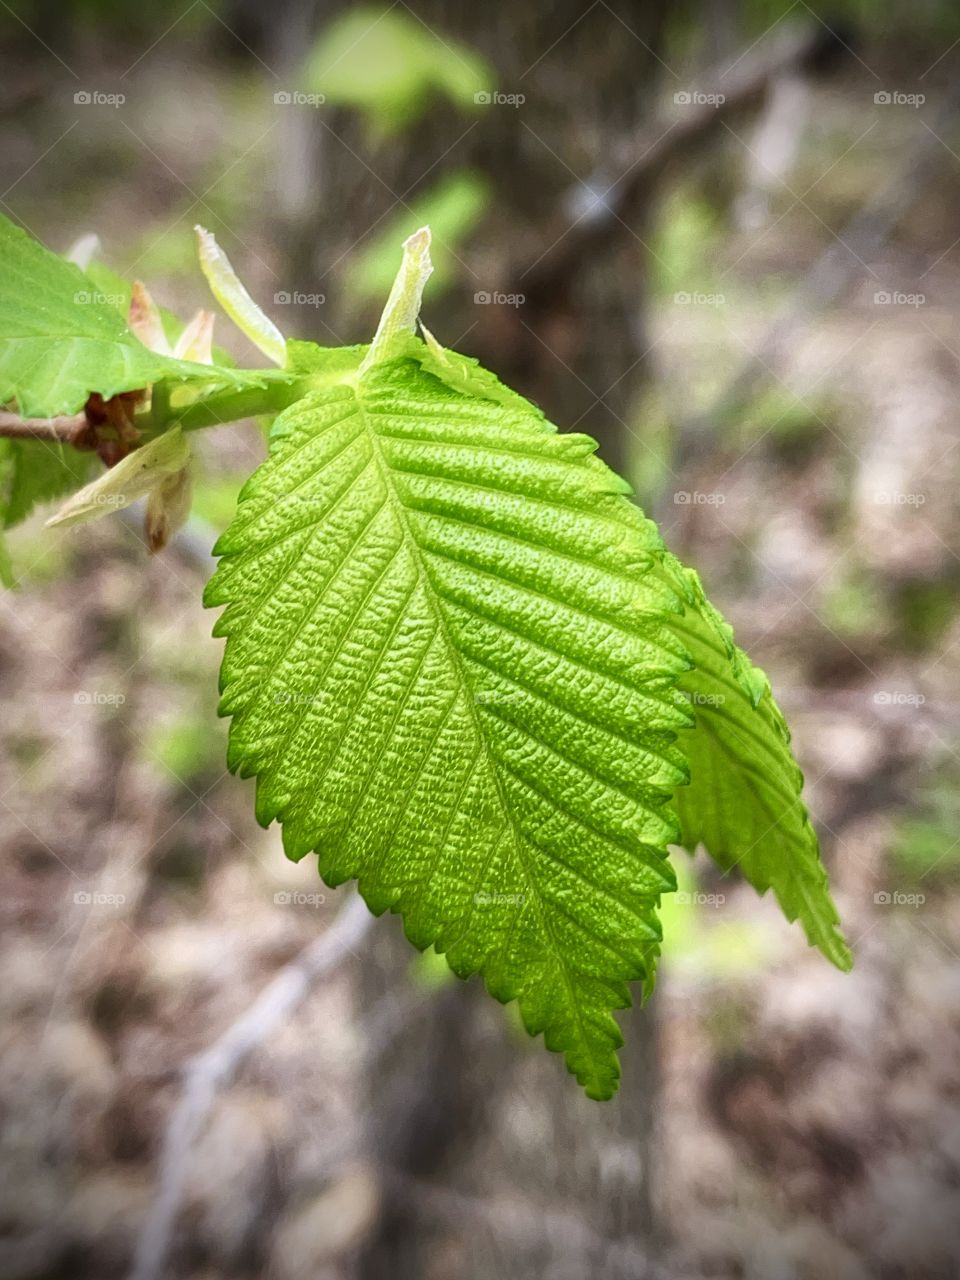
(744,802)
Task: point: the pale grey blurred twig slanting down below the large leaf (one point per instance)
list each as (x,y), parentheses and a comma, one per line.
(211,1071)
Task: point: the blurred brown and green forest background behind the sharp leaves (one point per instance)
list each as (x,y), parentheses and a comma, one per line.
(723,239)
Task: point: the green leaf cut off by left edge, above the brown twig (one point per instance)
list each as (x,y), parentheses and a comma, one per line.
(62,339)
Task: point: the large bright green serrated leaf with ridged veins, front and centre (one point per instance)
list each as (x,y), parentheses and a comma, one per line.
(452,671)
